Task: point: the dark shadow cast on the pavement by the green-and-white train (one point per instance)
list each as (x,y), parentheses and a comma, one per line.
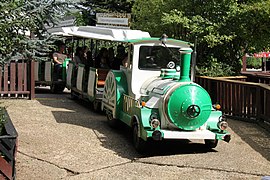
(119,140)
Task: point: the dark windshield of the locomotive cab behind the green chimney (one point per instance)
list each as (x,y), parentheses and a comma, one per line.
(158,57)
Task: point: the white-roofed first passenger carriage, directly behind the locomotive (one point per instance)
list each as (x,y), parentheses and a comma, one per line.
(89,83)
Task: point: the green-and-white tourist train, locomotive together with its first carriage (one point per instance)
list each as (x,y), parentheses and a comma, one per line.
(153,94)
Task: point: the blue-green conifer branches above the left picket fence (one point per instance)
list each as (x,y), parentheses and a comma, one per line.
(17,18)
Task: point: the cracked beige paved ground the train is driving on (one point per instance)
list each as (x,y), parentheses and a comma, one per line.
(63,139)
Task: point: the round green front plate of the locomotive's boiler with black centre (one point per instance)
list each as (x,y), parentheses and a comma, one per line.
(188,106)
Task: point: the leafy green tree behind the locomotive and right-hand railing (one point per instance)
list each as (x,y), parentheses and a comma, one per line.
(226,29)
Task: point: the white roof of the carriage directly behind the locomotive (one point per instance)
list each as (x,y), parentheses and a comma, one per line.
(94,32)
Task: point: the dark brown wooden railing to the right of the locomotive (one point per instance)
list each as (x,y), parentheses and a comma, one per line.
(240,99)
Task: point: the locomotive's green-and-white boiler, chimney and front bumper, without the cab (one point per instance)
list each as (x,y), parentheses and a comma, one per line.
(181,109)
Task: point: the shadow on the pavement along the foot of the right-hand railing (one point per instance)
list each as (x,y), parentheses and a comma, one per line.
(254,135)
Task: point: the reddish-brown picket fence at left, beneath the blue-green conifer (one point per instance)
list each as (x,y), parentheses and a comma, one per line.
(17,80)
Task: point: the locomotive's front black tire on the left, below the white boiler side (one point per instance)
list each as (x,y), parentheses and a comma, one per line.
(138,143)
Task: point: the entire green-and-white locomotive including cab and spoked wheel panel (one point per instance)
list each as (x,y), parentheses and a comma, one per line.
(167,106)
